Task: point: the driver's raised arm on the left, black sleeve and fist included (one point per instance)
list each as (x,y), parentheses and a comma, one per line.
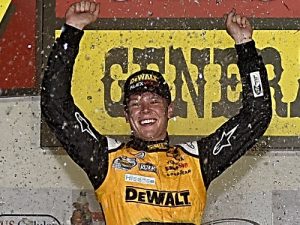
(82,142)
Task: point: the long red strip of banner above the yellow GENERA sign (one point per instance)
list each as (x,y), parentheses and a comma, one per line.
(190,8)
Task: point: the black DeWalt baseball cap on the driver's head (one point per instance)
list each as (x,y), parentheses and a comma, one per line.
(146,81)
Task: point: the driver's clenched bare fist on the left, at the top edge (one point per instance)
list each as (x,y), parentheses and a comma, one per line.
(82,13)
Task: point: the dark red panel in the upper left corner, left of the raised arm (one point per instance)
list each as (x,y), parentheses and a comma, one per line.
(18,45)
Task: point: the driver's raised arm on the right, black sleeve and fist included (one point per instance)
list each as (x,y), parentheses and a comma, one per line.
(222,148)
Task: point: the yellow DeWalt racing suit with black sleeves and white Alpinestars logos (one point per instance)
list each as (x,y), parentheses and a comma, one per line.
(142,182)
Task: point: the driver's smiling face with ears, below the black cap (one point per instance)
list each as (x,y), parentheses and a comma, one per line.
(148,115)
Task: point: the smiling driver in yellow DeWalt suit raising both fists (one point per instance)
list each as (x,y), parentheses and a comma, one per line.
(148,181)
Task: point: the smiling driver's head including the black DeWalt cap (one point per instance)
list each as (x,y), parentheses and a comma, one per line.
(148,107)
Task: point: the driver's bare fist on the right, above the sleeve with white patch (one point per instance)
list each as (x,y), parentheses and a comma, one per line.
(238,27)
